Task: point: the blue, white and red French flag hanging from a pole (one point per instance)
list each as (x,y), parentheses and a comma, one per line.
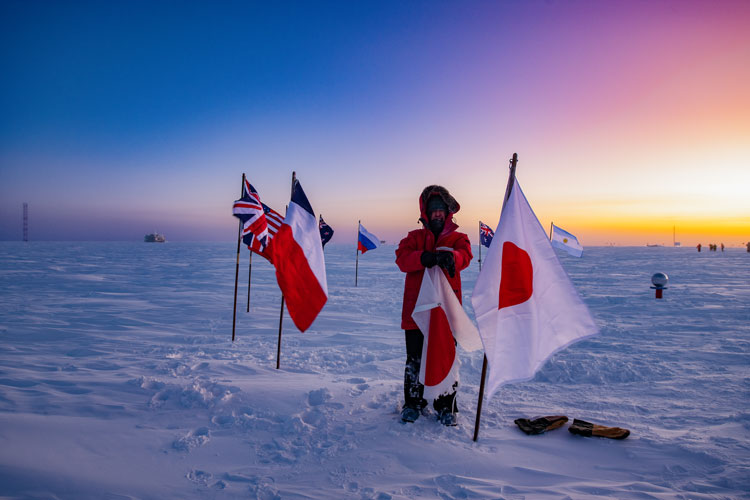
(298,259)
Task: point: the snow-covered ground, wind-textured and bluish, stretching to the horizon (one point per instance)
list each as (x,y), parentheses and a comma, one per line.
(118,379)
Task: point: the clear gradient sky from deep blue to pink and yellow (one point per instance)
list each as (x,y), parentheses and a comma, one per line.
(629,117)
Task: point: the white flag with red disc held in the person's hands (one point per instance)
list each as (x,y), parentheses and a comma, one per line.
(441,318)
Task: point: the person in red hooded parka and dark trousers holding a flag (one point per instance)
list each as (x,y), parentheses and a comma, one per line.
(436,244)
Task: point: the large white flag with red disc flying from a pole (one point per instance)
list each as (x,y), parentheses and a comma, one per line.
(526,307)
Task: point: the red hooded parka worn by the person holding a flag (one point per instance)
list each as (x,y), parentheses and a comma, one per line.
(409,252)
